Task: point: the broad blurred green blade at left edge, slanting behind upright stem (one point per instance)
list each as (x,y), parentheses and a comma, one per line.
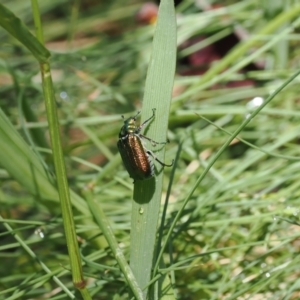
(23,164)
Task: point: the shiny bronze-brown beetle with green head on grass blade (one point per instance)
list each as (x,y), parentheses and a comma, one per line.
(135,156)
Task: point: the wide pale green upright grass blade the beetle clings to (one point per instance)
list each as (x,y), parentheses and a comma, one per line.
(158,92)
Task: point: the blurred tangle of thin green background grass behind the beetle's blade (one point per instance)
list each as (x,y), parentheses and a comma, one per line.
(230,226)
